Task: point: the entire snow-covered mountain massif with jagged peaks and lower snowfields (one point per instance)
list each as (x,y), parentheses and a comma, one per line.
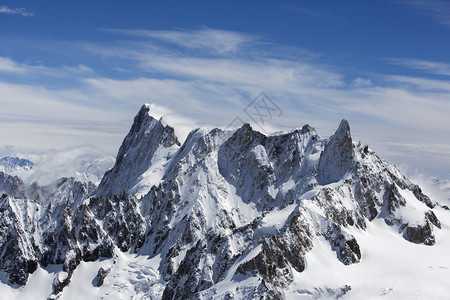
(226,215)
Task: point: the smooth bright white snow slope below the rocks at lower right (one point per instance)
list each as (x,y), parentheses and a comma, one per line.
(390,268)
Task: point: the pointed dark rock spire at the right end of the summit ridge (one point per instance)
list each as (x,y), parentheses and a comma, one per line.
(337,158)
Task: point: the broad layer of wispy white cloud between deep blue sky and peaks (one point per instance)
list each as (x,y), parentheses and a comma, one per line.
(214,85)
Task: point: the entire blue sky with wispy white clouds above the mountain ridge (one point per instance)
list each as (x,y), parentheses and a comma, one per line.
(76,72)
